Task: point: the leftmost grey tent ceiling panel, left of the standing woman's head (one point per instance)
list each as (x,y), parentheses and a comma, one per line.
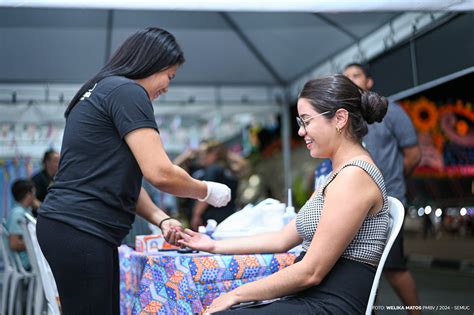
(55,45)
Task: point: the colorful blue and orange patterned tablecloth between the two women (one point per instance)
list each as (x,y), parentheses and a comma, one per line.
(173,283)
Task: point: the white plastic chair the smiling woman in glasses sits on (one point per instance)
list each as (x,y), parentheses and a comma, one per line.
(396,215)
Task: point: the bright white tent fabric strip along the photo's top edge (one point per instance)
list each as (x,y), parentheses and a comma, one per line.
(252,5)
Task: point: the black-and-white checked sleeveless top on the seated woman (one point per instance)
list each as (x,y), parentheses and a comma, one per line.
(369,242)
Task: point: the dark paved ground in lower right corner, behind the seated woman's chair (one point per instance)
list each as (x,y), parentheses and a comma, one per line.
(443,269)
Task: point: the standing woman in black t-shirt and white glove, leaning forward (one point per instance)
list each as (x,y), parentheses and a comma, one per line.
(111,141)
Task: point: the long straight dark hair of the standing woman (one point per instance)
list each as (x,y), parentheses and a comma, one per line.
(144,53)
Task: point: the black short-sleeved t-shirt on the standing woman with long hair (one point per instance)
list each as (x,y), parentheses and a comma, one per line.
(98,180)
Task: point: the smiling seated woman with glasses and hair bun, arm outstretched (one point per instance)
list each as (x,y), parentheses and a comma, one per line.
(342,227)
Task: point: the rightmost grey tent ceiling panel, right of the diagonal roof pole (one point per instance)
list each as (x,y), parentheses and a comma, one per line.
(291,41)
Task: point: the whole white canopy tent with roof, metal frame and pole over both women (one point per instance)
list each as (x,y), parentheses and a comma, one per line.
(241,55)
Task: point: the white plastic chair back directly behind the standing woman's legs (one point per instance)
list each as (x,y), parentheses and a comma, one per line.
(37,259)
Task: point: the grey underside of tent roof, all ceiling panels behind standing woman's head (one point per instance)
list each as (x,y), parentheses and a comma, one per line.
(222,48)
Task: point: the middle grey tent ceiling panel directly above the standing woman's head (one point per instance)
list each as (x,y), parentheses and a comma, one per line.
(212,50)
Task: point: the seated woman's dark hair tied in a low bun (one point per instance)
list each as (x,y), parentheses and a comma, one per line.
(337,91)
